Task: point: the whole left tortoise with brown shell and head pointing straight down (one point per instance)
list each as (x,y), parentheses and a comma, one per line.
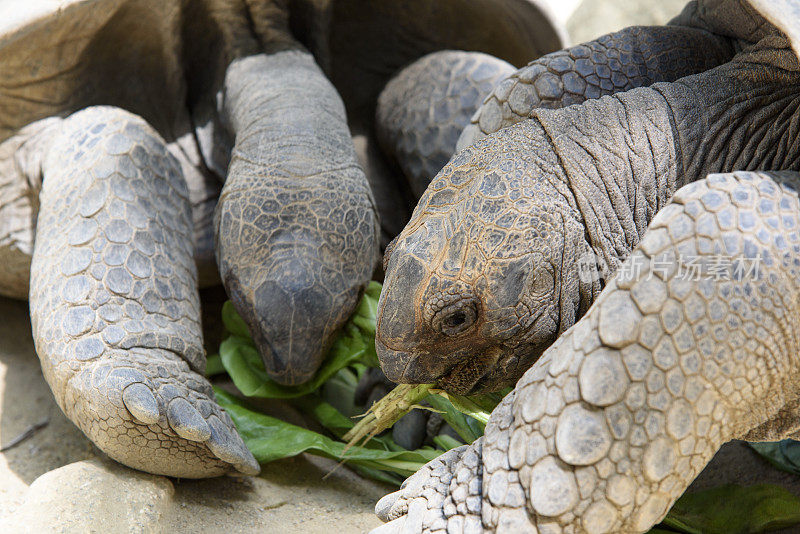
(119,122)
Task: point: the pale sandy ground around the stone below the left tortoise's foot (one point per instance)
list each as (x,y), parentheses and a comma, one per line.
(290,496)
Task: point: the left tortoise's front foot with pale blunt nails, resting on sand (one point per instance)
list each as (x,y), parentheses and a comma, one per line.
(147,409)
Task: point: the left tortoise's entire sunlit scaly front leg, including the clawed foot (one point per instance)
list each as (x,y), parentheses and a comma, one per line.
(114,302)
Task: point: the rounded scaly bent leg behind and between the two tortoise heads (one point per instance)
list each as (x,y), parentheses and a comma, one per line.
(422,111)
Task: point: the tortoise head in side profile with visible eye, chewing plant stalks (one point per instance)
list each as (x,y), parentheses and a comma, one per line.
(485,275)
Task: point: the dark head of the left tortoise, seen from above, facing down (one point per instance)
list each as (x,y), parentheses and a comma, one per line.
(295,263)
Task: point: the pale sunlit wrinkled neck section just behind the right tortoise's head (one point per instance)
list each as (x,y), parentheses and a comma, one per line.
(619,160)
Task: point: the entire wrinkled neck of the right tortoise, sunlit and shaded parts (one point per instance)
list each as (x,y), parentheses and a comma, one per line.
(624,156)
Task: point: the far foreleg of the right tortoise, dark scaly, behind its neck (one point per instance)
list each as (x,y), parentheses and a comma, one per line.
(634,57)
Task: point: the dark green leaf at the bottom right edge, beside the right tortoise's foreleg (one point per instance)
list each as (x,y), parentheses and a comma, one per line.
(733,509)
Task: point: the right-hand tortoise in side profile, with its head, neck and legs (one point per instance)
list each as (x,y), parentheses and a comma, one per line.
(614,420)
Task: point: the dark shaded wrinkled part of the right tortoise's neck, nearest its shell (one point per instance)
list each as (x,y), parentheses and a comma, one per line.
(739,116)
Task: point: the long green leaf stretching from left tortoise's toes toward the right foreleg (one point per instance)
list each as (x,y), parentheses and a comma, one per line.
(270,439)
